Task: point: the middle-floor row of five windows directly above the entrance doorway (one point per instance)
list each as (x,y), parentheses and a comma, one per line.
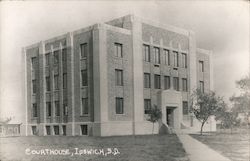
(167,82)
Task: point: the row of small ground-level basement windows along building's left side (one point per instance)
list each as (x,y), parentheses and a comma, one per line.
(55,130)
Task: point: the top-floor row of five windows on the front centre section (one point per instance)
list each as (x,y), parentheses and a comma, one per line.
(166,56)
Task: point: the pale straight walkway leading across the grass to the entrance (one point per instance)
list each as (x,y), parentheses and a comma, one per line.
(198,151)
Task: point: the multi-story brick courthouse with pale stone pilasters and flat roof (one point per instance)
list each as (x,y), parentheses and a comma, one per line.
(103,79)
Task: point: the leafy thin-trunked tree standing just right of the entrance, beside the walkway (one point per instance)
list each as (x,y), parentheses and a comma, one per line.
(204,105)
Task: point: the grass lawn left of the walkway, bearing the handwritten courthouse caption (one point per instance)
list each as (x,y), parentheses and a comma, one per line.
(136,148)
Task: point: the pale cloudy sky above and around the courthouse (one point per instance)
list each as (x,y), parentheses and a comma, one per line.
(220,26)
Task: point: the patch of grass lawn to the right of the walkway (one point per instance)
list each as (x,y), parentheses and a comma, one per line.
(235,146)
